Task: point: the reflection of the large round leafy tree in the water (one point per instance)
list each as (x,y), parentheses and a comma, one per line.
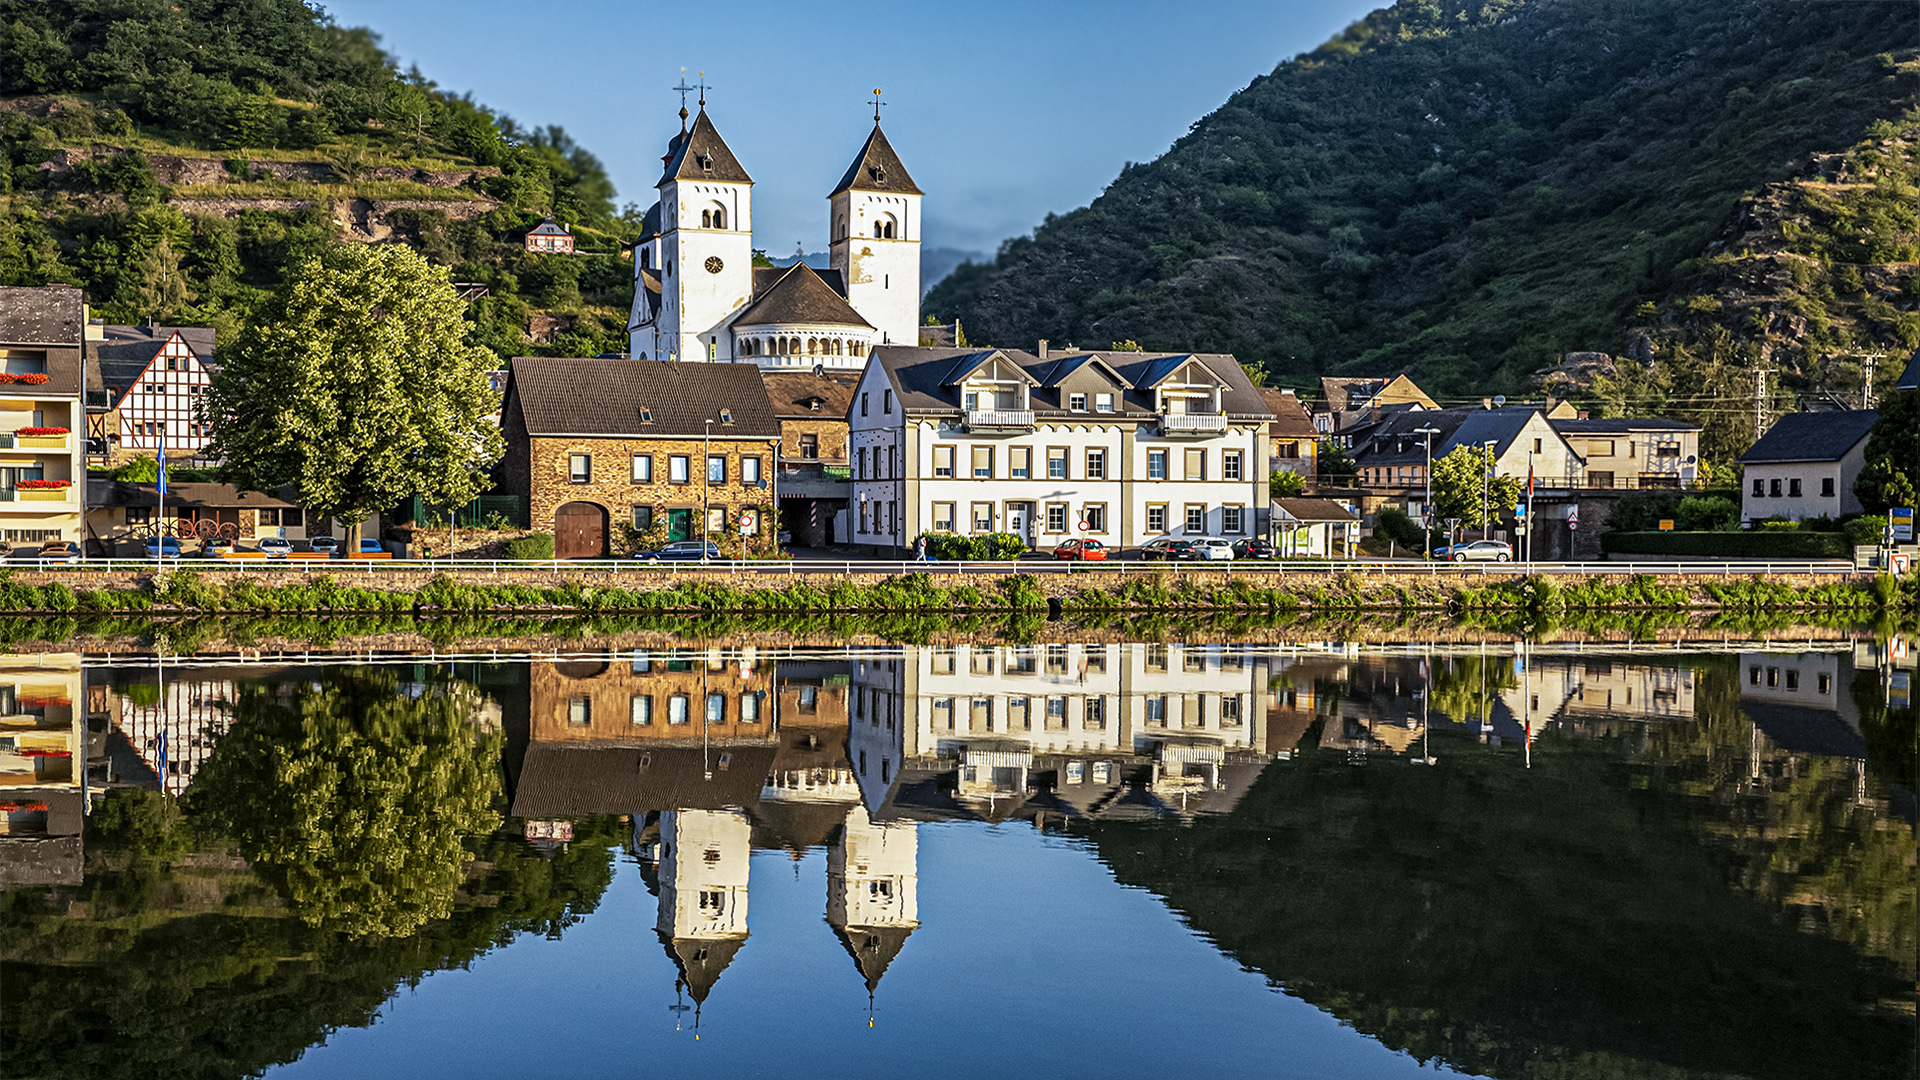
(354,798)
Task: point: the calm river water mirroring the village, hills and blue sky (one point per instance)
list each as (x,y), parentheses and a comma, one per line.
(1065,860)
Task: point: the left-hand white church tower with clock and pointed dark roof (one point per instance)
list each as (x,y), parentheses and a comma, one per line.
(706,249)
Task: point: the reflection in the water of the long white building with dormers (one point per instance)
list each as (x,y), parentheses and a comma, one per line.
(1068,729)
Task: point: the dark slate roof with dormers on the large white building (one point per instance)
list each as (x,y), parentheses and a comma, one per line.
(924,380)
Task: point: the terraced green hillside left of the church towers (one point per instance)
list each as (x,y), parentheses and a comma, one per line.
(176,159)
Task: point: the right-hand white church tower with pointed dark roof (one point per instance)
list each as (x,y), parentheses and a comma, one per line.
(876,241)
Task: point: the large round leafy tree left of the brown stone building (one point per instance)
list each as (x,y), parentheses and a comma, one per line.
(356,385)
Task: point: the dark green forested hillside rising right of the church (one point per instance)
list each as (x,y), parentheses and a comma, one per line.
(1474,189)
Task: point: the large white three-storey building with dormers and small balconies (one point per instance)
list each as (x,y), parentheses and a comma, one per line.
(1111,447)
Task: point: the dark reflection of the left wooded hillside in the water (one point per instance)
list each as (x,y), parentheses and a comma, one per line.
(178,962)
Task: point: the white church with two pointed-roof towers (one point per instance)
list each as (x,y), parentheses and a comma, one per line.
(700,297)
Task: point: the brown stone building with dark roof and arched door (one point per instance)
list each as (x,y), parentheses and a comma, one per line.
(600,445)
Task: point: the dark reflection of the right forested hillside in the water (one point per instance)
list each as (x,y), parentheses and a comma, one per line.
(1612,912)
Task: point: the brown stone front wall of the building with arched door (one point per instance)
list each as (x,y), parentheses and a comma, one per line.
(613,479)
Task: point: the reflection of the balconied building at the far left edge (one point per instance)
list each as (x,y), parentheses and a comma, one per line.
(43,750)
